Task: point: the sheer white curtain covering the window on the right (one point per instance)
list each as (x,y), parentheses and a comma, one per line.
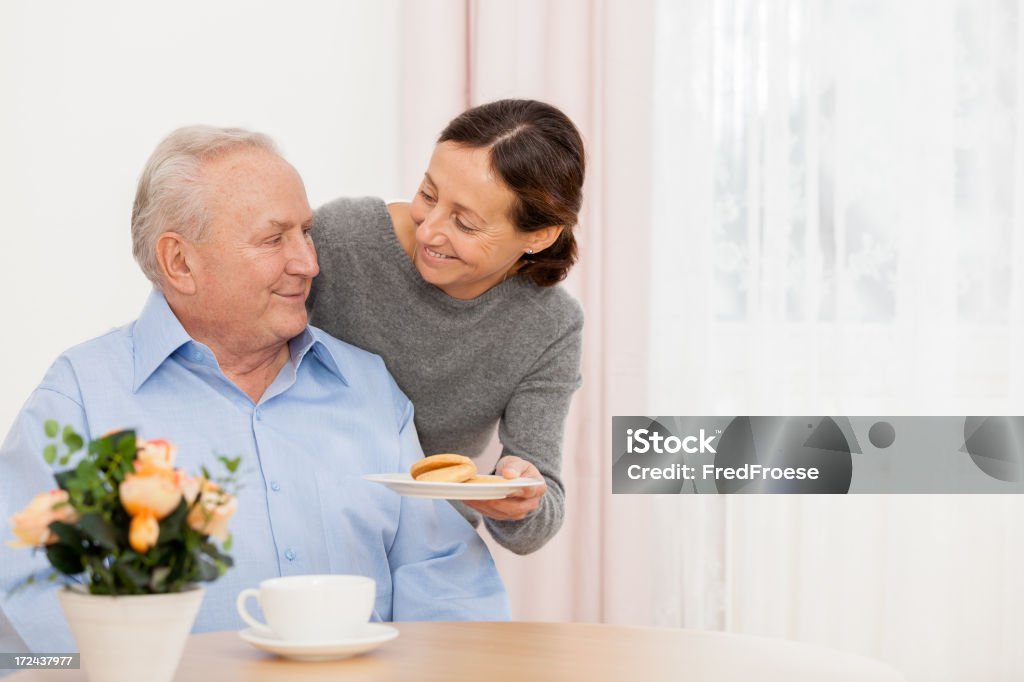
(838,215)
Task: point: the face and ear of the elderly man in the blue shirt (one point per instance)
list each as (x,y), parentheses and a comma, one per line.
(253,273)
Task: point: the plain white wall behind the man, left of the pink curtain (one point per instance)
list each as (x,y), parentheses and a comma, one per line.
(91,89)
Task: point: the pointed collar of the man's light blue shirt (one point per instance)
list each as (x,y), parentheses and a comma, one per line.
(158,334)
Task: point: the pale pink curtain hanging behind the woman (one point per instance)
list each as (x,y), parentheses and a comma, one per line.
(595,62)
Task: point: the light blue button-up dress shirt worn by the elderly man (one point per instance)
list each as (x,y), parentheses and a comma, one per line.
(332,415)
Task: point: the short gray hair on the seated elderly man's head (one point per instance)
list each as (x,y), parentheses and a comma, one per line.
(170,193)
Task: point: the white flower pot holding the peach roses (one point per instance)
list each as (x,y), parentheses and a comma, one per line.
(131,638)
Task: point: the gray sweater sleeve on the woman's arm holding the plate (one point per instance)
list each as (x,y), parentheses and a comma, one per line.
(532,428)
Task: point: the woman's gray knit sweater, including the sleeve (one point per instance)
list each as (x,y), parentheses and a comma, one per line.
(508,358)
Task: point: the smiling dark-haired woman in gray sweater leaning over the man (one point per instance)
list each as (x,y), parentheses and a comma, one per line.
(458,293)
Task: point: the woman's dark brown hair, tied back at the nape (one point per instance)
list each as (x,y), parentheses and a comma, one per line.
(538,154)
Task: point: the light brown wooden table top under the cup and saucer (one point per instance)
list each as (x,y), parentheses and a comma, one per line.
(528,652)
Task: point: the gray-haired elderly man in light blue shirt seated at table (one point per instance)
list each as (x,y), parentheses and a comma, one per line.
(222,361)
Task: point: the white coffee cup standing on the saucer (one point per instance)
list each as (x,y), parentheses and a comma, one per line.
(312,609)
